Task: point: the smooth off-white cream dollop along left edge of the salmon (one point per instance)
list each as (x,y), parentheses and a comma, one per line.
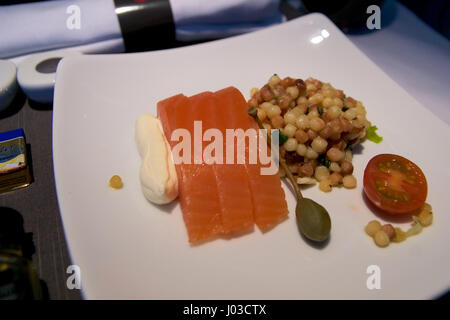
(157,173)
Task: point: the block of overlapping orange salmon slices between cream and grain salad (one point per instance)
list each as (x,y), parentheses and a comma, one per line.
(220,198)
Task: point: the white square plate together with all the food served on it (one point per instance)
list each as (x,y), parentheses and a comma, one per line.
(236,170)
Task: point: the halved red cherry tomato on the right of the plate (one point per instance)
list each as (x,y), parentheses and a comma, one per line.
(395,184)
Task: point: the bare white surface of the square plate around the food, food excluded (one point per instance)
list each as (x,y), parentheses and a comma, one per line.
(128,248)
